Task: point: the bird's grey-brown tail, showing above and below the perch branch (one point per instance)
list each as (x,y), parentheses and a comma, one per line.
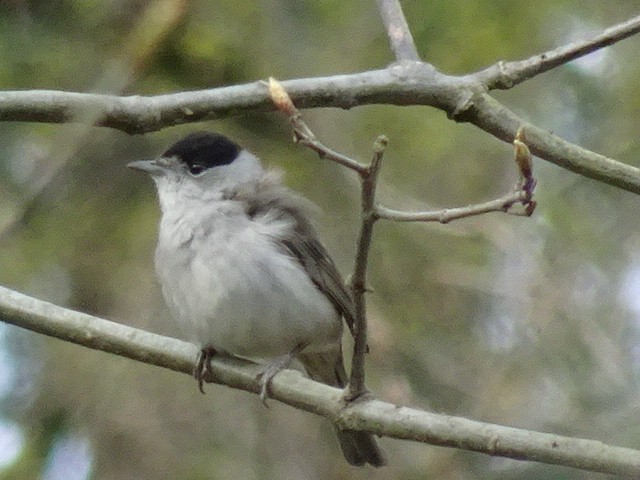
(358,448)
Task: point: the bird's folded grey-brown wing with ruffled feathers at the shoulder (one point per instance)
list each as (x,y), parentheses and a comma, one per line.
(272,198)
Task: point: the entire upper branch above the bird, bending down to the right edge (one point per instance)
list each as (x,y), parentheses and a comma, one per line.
(414,84)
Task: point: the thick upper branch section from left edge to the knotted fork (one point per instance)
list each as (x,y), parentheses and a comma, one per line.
(138,114)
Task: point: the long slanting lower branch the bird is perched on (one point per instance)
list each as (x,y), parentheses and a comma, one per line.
(292,388)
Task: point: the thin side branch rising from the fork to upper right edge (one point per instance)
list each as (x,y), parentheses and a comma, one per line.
(505,75)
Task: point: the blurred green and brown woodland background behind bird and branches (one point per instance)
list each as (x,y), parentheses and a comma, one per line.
(533,323)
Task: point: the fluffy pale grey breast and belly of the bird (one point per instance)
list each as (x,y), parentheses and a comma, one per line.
(228,279)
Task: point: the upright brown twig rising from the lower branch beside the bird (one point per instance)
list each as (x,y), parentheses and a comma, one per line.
(357,386)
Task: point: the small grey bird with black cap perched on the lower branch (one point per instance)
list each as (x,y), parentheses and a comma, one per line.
(242,268)
